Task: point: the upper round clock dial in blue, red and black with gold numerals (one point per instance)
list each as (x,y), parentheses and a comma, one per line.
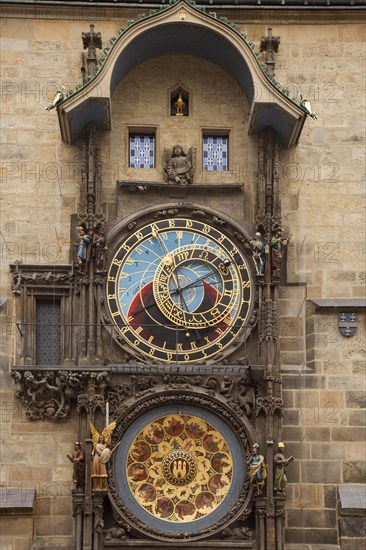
(179,290)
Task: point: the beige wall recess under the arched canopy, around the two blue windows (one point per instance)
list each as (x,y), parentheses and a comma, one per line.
(217,106)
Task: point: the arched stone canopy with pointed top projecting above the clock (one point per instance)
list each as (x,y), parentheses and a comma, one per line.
(183,28)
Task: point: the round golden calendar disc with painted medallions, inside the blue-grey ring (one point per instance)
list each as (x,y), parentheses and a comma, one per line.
(179,468)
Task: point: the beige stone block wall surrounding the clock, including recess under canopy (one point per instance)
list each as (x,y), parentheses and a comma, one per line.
(322,57)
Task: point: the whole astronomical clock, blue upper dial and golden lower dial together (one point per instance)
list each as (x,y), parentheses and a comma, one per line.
(180,299)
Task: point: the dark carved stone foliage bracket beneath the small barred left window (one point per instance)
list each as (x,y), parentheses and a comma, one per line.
(50,393)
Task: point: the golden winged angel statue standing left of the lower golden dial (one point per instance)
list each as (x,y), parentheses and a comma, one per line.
(100,456)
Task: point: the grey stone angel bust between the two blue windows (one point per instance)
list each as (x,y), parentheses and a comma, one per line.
(179,167)
